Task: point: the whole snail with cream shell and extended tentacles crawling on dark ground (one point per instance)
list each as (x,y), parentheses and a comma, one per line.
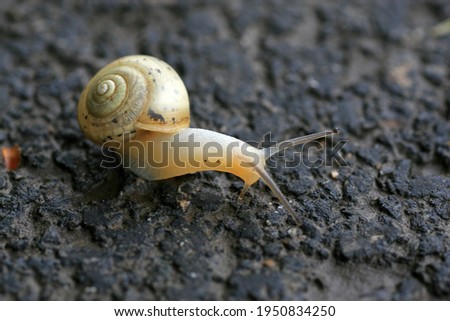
(139,105)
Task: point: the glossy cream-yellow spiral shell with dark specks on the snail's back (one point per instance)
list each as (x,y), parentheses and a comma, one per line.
(132,93)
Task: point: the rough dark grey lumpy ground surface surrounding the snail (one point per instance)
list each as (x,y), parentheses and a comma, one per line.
(379,230)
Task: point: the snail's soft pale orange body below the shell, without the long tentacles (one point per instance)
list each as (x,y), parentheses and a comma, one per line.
(188,151)
